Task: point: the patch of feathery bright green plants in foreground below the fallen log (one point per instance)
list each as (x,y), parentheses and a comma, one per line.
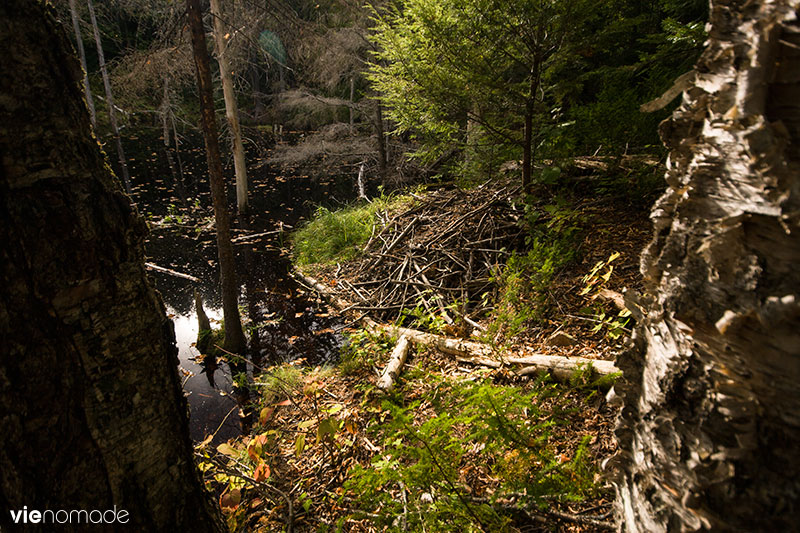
(442,446)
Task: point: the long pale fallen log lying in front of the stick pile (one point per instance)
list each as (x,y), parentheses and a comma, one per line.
(561,368)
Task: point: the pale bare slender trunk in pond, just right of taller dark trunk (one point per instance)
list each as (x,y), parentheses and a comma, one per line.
(231,109)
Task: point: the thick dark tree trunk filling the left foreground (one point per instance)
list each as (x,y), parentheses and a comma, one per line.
(91,410)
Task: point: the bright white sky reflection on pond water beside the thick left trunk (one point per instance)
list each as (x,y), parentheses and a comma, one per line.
(208,406)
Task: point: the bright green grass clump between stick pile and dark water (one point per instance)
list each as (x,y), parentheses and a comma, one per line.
(333,236)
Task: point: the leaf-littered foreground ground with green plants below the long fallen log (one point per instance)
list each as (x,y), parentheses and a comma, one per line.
(444,452)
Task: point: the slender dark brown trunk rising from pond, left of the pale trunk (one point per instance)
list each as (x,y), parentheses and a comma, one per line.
(234,336)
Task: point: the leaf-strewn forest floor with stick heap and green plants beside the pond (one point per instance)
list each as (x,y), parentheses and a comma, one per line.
(454,446)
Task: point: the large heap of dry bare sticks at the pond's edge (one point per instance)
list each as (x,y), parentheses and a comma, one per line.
(439,256)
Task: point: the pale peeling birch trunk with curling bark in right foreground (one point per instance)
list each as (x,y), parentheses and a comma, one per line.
(711,410)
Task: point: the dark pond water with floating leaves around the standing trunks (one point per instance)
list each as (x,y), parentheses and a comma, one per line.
(283,323)
